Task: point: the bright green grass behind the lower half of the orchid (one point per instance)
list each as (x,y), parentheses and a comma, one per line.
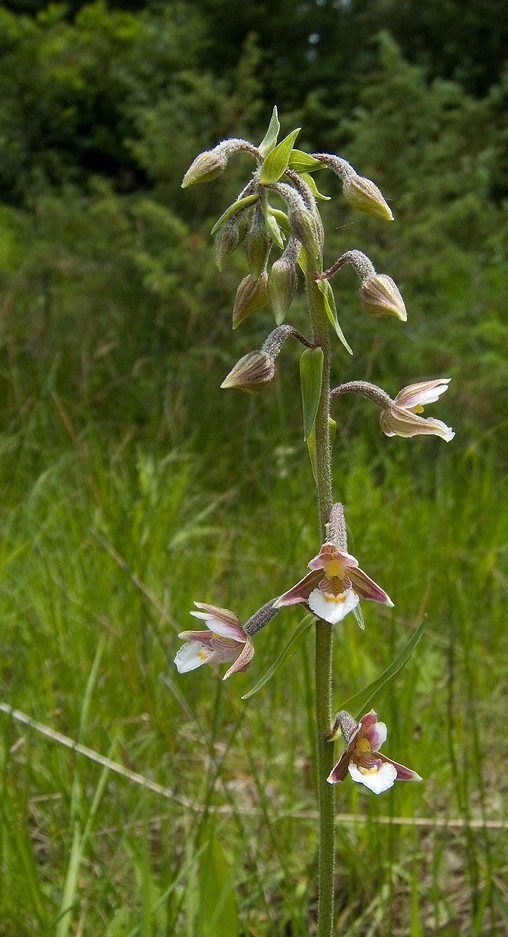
(105,545)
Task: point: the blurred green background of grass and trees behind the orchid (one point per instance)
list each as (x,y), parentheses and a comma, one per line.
(132,485)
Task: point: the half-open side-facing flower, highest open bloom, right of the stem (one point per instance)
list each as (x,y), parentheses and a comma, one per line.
(402,418)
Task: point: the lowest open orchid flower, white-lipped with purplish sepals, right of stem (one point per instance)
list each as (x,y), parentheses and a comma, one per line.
(362,758)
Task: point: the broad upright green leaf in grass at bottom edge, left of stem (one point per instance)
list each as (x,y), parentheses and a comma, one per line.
(218,912)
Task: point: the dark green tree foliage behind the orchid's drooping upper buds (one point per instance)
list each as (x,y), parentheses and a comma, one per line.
(102,110)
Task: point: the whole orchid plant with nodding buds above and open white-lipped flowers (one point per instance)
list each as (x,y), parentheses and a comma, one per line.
(277,210)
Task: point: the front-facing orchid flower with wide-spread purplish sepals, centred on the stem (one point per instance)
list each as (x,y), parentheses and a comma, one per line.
(334,587)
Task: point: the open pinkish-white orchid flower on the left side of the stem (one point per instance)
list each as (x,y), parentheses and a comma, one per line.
(224,641)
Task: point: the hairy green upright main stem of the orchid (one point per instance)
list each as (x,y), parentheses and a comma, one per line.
(324,632)
